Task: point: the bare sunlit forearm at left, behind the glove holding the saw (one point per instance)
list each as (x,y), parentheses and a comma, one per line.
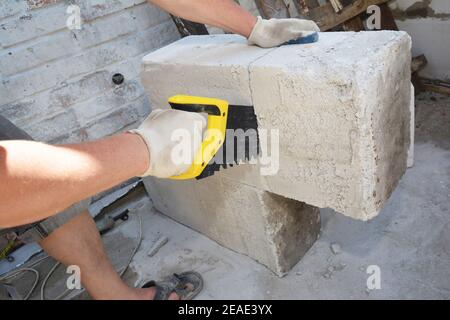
(38,180)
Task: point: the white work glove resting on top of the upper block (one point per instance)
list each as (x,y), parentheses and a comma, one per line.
(275,32)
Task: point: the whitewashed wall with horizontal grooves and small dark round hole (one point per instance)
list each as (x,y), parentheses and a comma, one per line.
(56,83)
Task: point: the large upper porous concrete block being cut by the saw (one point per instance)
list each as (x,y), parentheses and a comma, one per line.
(341,107)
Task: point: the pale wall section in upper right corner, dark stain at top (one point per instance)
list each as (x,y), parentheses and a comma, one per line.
(428,23)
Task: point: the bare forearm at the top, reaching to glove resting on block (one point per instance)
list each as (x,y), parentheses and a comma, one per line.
(225,14)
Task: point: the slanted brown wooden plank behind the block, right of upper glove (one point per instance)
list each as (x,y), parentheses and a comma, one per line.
(327,19)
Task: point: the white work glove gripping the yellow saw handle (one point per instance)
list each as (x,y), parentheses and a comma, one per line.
(172,137)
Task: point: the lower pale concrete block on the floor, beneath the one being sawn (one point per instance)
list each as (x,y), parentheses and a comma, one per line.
(269,228)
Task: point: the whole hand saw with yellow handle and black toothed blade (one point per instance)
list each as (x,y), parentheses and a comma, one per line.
(231,137)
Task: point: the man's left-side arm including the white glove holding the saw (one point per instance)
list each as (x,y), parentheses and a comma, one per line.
(38,180)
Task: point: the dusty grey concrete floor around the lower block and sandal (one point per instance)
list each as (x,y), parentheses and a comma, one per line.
(409,241)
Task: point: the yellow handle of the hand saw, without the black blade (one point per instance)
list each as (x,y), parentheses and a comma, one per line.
(214,138)
